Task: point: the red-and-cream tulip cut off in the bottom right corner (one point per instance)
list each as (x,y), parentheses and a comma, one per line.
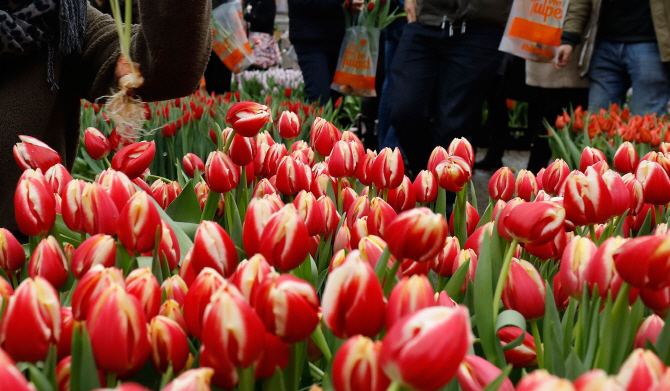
(641,370)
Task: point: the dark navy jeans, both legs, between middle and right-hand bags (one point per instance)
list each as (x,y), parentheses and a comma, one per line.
(439,84)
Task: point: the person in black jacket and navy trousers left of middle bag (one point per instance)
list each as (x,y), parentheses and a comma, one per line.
(316,30)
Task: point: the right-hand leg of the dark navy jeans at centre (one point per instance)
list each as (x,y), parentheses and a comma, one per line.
(468,65)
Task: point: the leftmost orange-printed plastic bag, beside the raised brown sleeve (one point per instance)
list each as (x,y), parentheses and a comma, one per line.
(230,41)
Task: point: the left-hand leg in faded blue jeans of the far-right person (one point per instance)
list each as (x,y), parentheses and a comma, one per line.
(608,75)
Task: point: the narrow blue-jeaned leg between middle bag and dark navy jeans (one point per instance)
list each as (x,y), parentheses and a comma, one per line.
(385,132)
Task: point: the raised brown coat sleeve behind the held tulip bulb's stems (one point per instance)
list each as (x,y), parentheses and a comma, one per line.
(172,44)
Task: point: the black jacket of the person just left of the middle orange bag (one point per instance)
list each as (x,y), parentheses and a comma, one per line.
(316,21)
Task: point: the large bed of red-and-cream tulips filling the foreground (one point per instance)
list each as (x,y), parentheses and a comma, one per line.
(258,247)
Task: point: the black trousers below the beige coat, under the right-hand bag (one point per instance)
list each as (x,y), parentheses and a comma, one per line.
(549,103)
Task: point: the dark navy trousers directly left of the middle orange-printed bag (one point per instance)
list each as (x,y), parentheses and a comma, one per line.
(317,63)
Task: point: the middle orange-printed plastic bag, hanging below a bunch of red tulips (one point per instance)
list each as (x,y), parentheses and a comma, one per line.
(357,65)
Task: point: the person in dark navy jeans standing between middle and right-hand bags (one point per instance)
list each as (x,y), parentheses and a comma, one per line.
(447,57)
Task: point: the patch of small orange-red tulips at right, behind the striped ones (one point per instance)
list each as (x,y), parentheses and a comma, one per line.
(606,130)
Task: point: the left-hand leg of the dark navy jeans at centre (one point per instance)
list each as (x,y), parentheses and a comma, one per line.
(415,70)
